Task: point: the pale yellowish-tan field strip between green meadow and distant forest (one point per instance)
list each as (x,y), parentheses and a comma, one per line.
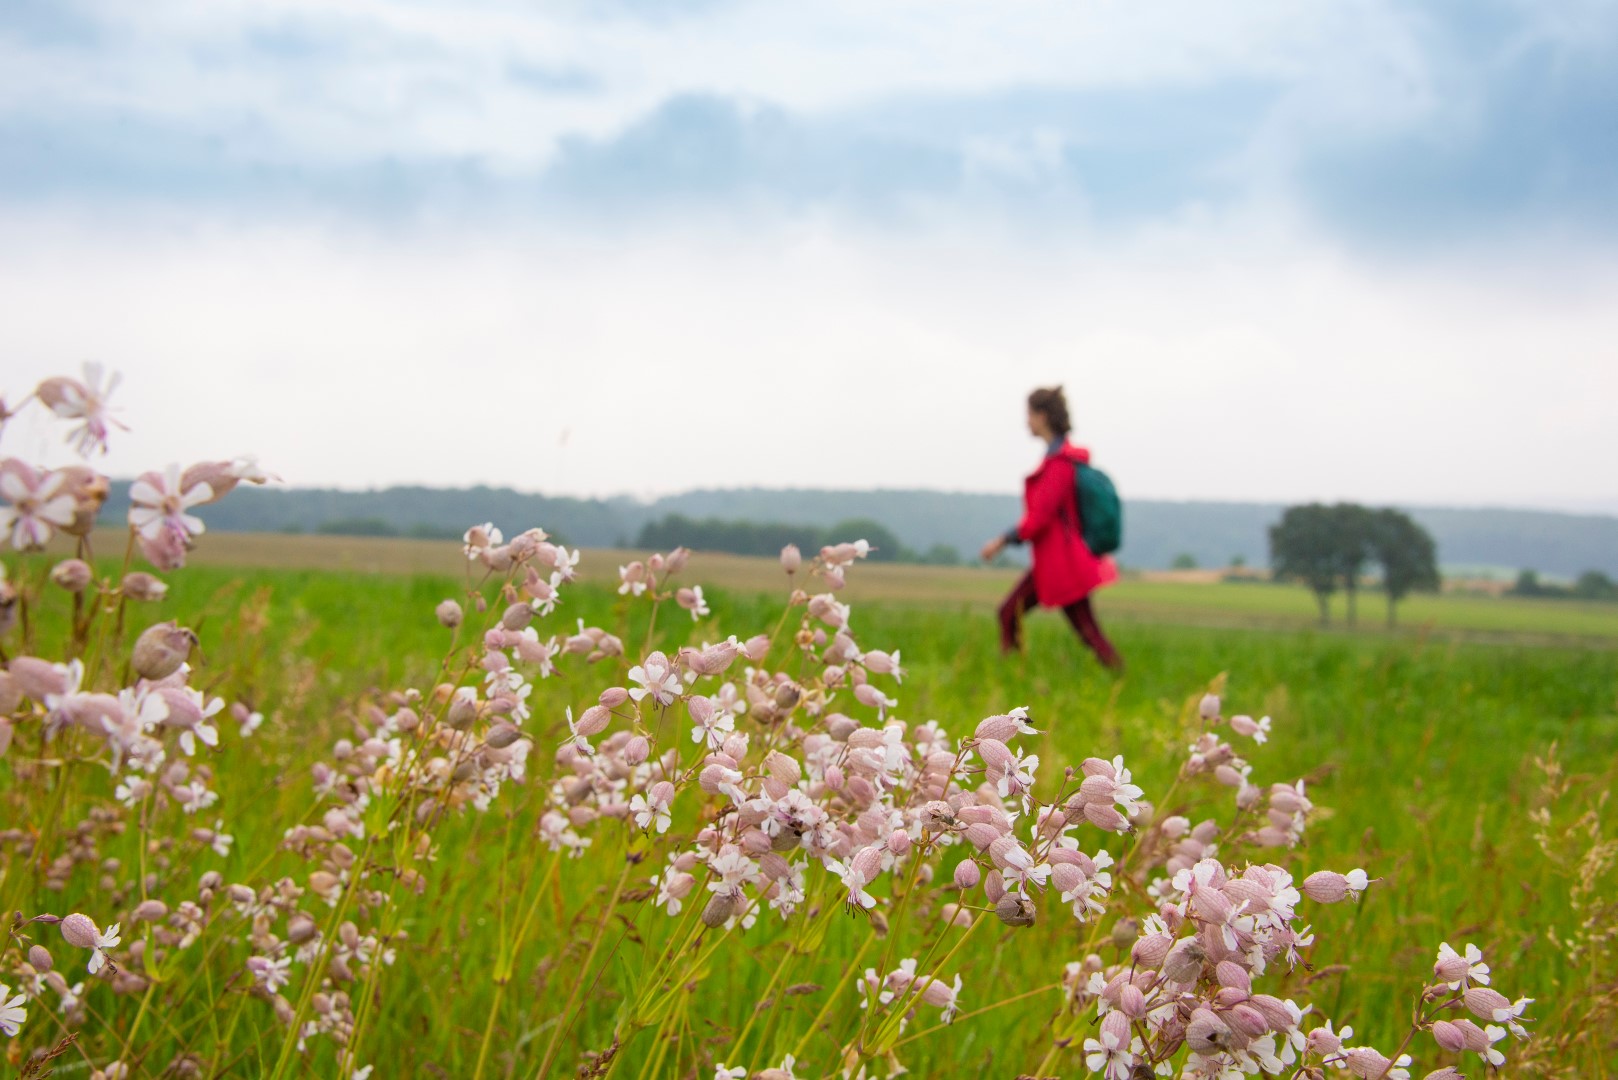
(1177,603)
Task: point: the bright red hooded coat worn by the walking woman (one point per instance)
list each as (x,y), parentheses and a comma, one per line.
(1064,568)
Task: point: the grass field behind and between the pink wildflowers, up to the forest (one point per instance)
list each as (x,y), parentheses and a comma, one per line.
(1420,749)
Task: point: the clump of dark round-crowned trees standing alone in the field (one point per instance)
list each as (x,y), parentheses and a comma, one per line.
(1331,548)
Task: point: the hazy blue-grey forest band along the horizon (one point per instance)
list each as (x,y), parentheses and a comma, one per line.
(920,525)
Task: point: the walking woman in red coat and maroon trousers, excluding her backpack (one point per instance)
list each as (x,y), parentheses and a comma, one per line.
(1064,571)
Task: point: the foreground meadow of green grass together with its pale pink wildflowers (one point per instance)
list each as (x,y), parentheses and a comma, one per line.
(562,820)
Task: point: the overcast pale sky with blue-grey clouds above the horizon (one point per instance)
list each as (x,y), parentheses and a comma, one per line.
(1274,250)
